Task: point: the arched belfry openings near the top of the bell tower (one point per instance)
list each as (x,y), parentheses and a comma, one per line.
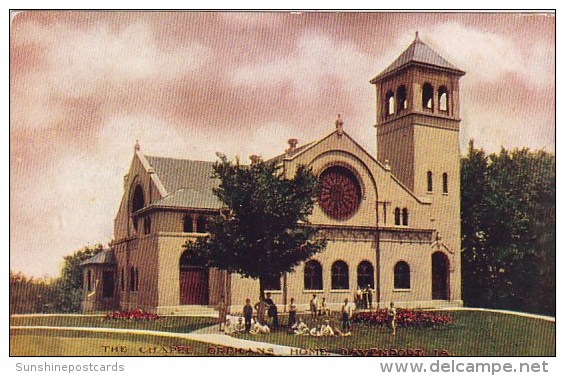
(397,102)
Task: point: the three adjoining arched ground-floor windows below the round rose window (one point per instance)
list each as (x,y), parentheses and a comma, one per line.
(313,279)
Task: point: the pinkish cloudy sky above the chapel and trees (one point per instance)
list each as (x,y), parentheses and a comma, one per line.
(85,86)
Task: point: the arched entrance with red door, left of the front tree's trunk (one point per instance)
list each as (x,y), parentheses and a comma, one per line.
(193,281)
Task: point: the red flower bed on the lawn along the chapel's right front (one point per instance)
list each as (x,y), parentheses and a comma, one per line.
(404,318)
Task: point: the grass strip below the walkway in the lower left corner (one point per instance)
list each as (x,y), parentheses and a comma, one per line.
(34,342)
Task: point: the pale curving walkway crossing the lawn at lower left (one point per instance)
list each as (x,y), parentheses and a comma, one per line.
(207,335)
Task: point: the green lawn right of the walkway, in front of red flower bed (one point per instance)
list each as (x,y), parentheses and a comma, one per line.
(472,334)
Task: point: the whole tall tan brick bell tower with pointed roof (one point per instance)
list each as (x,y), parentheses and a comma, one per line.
(418,134)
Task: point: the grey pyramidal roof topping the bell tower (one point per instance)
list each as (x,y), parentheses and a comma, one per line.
(418,53)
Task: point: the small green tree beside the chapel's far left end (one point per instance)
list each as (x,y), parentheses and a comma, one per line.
(69,286)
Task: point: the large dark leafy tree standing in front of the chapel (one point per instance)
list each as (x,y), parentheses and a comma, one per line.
(265,231)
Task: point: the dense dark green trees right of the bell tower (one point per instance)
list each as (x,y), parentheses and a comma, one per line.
(508,229)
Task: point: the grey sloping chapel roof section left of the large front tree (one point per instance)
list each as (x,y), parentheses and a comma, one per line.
(189,183)
